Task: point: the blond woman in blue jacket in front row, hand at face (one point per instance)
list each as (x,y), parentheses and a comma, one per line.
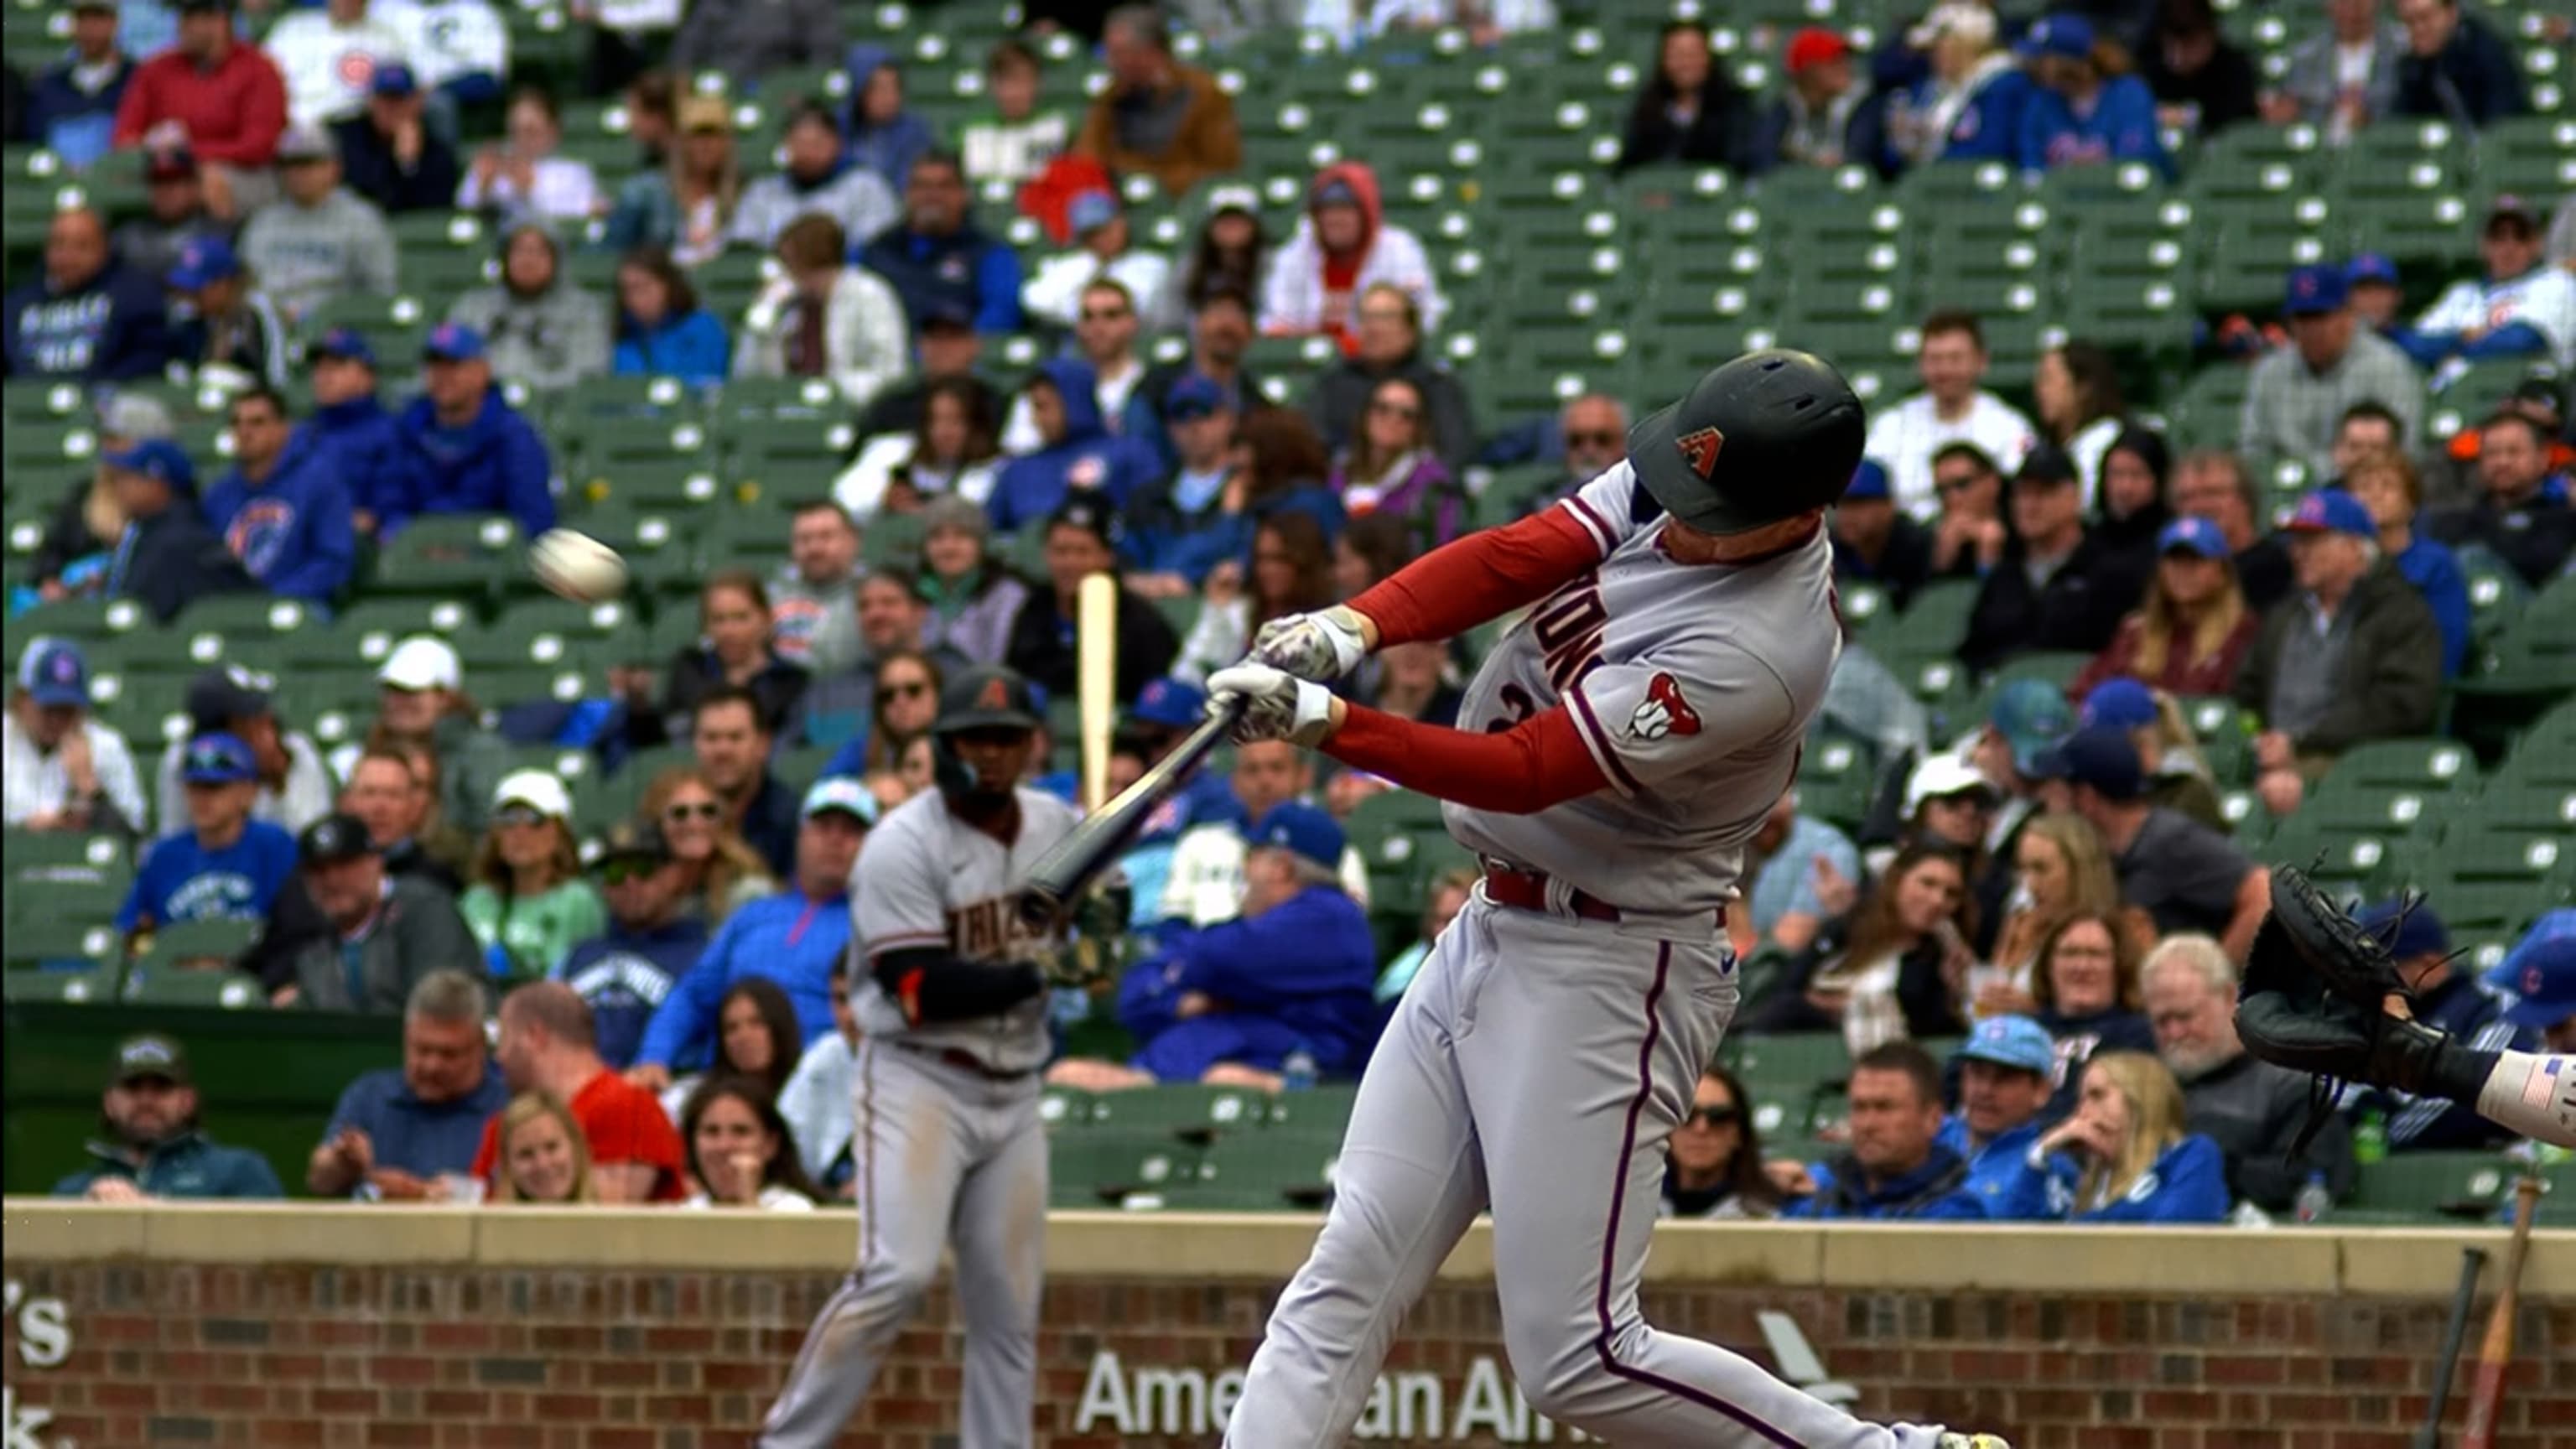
(2124,1156)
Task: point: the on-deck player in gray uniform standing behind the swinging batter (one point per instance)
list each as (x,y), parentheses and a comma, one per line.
(947,1082)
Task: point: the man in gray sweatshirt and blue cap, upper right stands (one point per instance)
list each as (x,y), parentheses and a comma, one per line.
(2299,396)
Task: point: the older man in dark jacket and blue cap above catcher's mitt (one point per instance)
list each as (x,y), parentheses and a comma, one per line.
(2351,656)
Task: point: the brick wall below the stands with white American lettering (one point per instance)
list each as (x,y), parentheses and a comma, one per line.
(457,1355)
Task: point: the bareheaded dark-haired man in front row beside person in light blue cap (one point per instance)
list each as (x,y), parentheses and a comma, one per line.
(1897,1167)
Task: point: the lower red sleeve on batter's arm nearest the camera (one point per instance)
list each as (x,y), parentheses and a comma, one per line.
(1519,772)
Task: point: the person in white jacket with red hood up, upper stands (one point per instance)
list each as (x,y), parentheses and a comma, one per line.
(1338,254)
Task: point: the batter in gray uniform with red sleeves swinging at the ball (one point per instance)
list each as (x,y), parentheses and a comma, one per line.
(1616,754)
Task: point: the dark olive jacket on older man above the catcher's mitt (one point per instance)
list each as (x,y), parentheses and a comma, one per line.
(2392,666)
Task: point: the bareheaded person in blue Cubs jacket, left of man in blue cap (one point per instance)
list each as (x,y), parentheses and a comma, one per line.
(279,509)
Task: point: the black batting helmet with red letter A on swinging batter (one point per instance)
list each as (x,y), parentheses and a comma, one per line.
(1761,440)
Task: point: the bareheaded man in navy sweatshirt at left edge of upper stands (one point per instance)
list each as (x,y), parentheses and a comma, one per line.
(86,318)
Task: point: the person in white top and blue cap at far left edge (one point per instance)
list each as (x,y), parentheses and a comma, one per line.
(61,770)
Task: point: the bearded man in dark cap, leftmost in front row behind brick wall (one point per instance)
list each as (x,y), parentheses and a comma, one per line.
(151,1146)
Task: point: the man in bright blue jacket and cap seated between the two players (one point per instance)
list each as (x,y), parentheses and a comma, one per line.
(1289,976)
